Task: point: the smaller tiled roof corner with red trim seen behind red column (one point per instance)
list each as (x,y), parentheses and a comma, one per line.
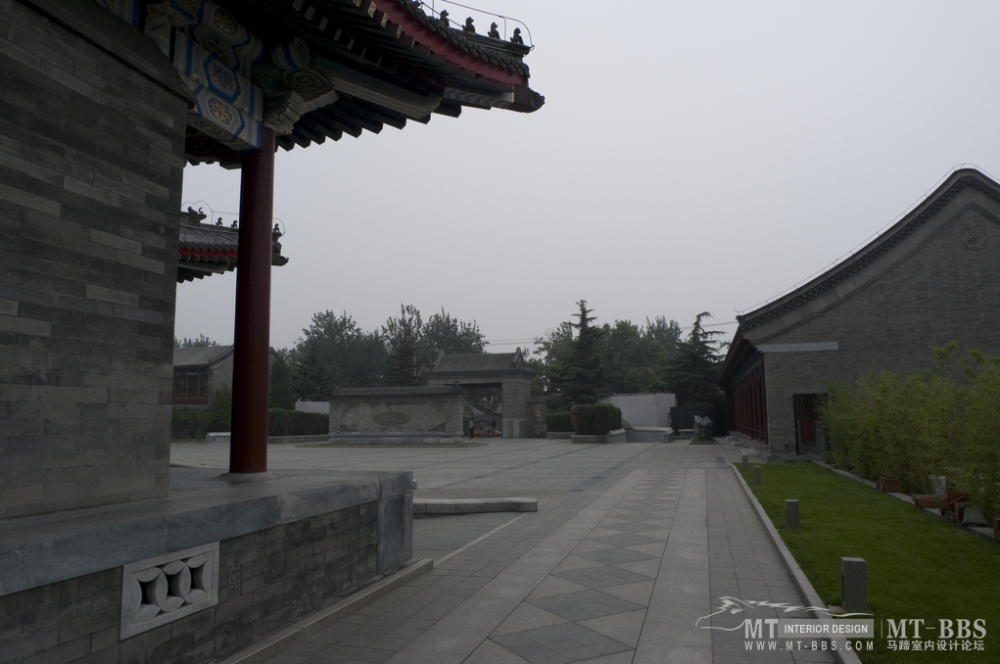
(206,249)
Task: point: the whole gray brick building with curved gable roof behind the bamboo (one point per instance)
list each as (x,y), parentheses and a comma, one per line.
(932,277)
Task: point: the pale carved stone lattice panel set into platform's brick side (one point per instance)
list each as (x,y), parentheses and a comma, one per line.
(166,588)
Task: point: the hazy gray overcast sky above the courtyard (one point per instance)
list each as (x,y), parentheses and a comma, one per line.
(690,156)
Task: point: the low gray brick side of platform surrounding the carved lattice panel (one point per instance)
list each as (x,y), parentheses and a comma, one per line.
(283,573)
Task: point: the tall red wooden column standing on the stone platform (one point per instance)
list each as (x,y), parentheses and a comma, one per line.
(248,445)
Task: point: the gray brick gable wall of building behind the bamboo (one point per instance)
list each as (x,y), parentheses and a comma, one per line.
(929,290)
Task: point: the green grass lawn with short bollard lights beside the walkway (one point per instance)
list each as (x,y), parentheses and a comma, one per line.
(919,567)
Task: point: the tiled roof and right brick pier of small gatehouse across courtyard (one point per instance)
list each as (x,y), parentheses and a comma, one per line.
(508,371)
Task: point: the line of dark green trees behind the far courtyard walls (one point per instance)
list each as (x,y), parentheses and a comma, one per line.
(577,362)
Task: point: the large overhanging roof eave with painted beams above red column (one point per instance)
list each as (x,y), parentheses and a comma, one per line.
(319,69)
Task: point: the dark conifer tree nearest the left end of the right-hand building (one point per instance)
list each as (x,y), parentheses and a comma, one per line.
(691,374)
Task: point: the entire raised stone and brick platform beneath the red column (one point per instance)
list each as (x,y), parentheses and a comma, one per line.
(214,567)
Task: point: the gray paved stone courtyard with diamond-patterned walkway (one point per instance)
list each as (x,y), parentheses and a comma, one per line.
(631,545)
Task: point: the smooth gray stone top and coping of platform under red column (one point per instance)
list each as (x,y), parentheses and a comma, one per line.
(203,507)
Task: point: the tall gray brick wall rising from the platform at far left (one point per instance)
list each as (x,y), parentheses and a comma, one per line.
(91,162)
